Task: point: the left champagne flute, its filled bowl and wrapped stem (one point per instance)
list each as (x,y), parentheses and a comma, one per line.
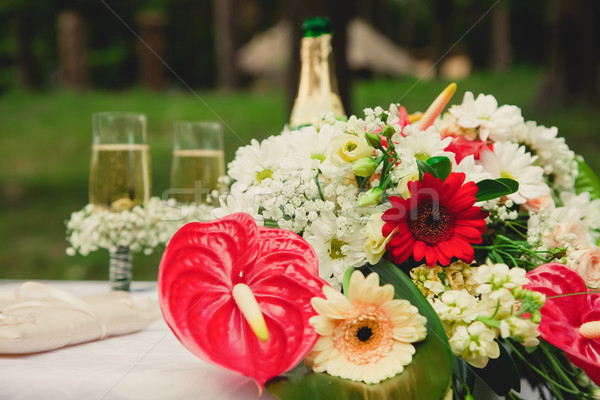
(119,176)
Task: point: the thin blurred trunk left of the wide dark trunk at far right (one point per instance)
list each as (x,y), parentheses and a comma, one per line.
(501,56)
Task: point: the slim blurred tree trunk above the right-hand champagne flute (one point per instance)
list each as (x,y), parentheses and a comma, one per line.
(225,44)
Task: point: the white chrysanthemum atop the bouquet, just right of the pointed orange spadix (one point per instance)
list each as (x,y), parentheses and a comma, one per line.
(483,113)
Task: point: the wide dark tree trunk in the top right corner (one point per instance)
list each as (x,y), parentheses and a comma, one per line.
(572,72)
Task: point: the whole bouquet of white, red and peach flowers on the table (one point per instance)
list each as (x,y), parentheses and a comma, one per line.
(482,227)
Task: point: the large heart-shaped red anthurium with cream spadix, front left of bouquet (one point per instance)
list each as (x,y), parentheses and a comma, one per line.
(238,295)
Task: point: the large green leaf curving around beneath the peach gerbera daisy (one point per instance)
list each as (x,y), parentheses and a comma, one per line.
(427,377)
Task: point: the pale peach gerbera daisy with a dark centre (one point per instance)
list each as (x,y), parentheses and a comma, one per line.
(366,337)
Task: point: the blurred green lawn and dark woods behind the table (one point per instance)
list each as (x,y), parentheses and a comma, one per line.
(62,60)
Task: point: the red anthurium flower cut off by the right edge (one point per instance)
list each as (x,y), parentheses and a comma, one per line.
(571,323)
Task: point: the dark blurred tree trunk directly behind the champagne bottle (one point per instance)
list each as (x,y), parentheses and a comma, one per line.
(339,12)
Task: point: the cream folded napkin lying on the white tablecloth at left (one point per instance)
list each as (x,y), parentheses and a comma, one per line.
(41,318)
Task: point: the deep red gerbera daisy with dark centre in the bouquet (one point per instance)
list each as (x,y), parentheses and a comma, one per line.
(438,221)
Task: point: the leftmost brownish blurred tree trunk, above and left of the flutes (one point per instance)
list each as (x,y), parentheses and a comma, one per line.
(73,72)
